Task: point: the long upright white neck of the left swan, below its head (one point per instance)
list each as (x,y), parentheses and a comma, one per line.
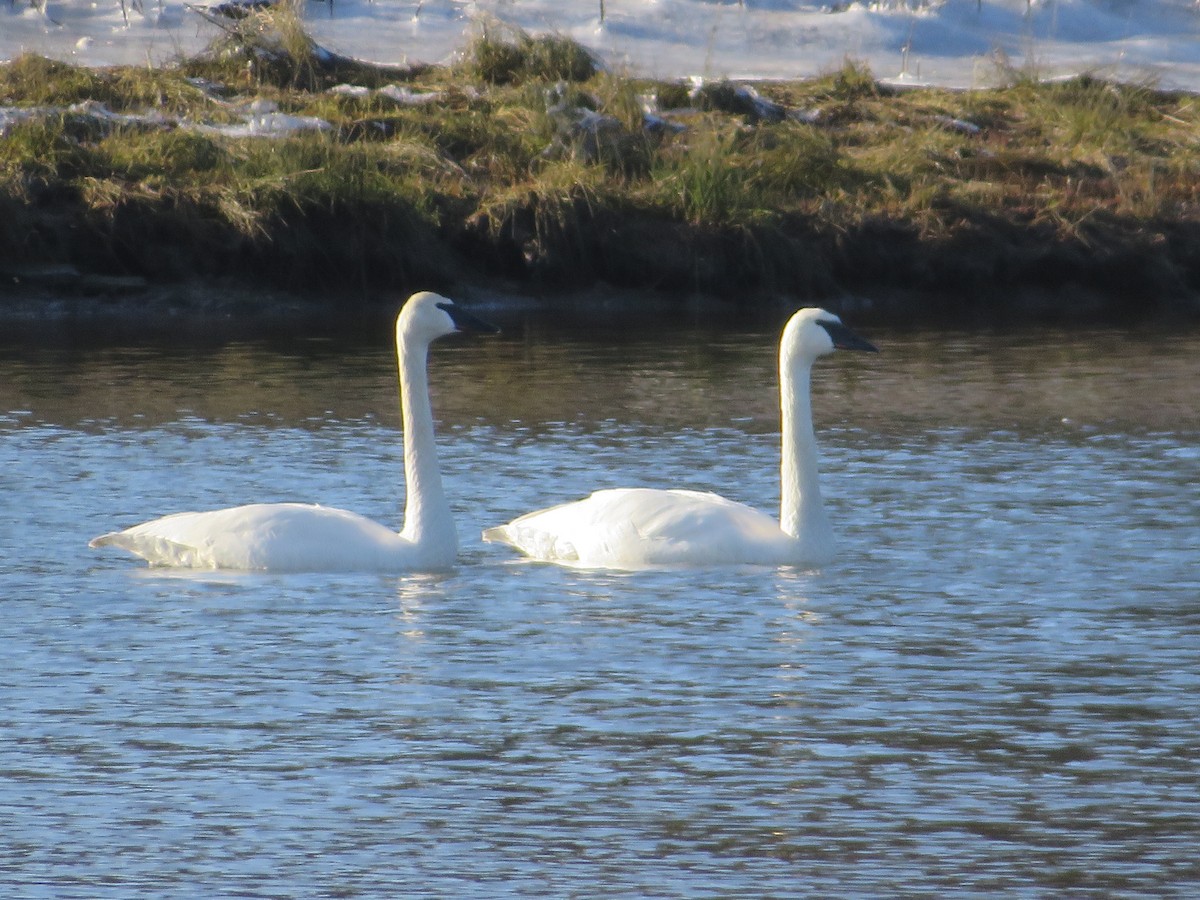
(428,518)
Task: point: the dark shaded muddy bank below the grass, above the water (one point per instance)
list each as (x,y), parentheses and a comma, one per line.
(989,273)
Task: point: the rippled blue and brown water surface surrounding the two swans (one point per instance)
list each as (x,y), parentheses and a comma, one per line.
(994,691)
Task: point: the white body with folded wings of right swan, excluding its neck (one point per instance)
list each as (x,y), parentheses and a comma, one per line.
(639,527)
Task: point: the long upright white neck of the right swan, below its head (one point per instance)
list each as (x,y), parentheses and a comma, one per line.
(801,512)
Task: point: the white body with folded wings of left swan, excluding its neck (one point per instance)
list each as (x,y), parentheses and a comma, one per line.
(279,537)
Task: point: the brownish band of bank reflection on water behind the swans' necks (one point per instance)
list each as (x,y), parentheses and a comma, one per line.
(656,373)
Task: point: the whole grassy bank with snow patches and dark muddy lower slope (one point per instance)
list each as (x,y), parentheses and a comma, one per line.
(530,166)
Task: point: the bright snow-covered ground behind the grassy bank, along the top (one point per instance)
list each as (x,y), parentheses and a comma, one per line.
(947,43)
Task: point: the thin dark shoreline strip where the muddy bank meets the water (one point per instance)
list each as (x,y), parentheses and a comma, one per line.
(217,314)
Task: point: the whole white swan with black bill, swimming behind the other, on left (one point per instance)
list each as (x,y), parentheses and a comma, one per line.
(298,537)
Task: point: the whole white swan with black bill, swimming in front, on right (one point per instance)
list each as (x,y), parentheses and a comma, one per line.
(639,529)
